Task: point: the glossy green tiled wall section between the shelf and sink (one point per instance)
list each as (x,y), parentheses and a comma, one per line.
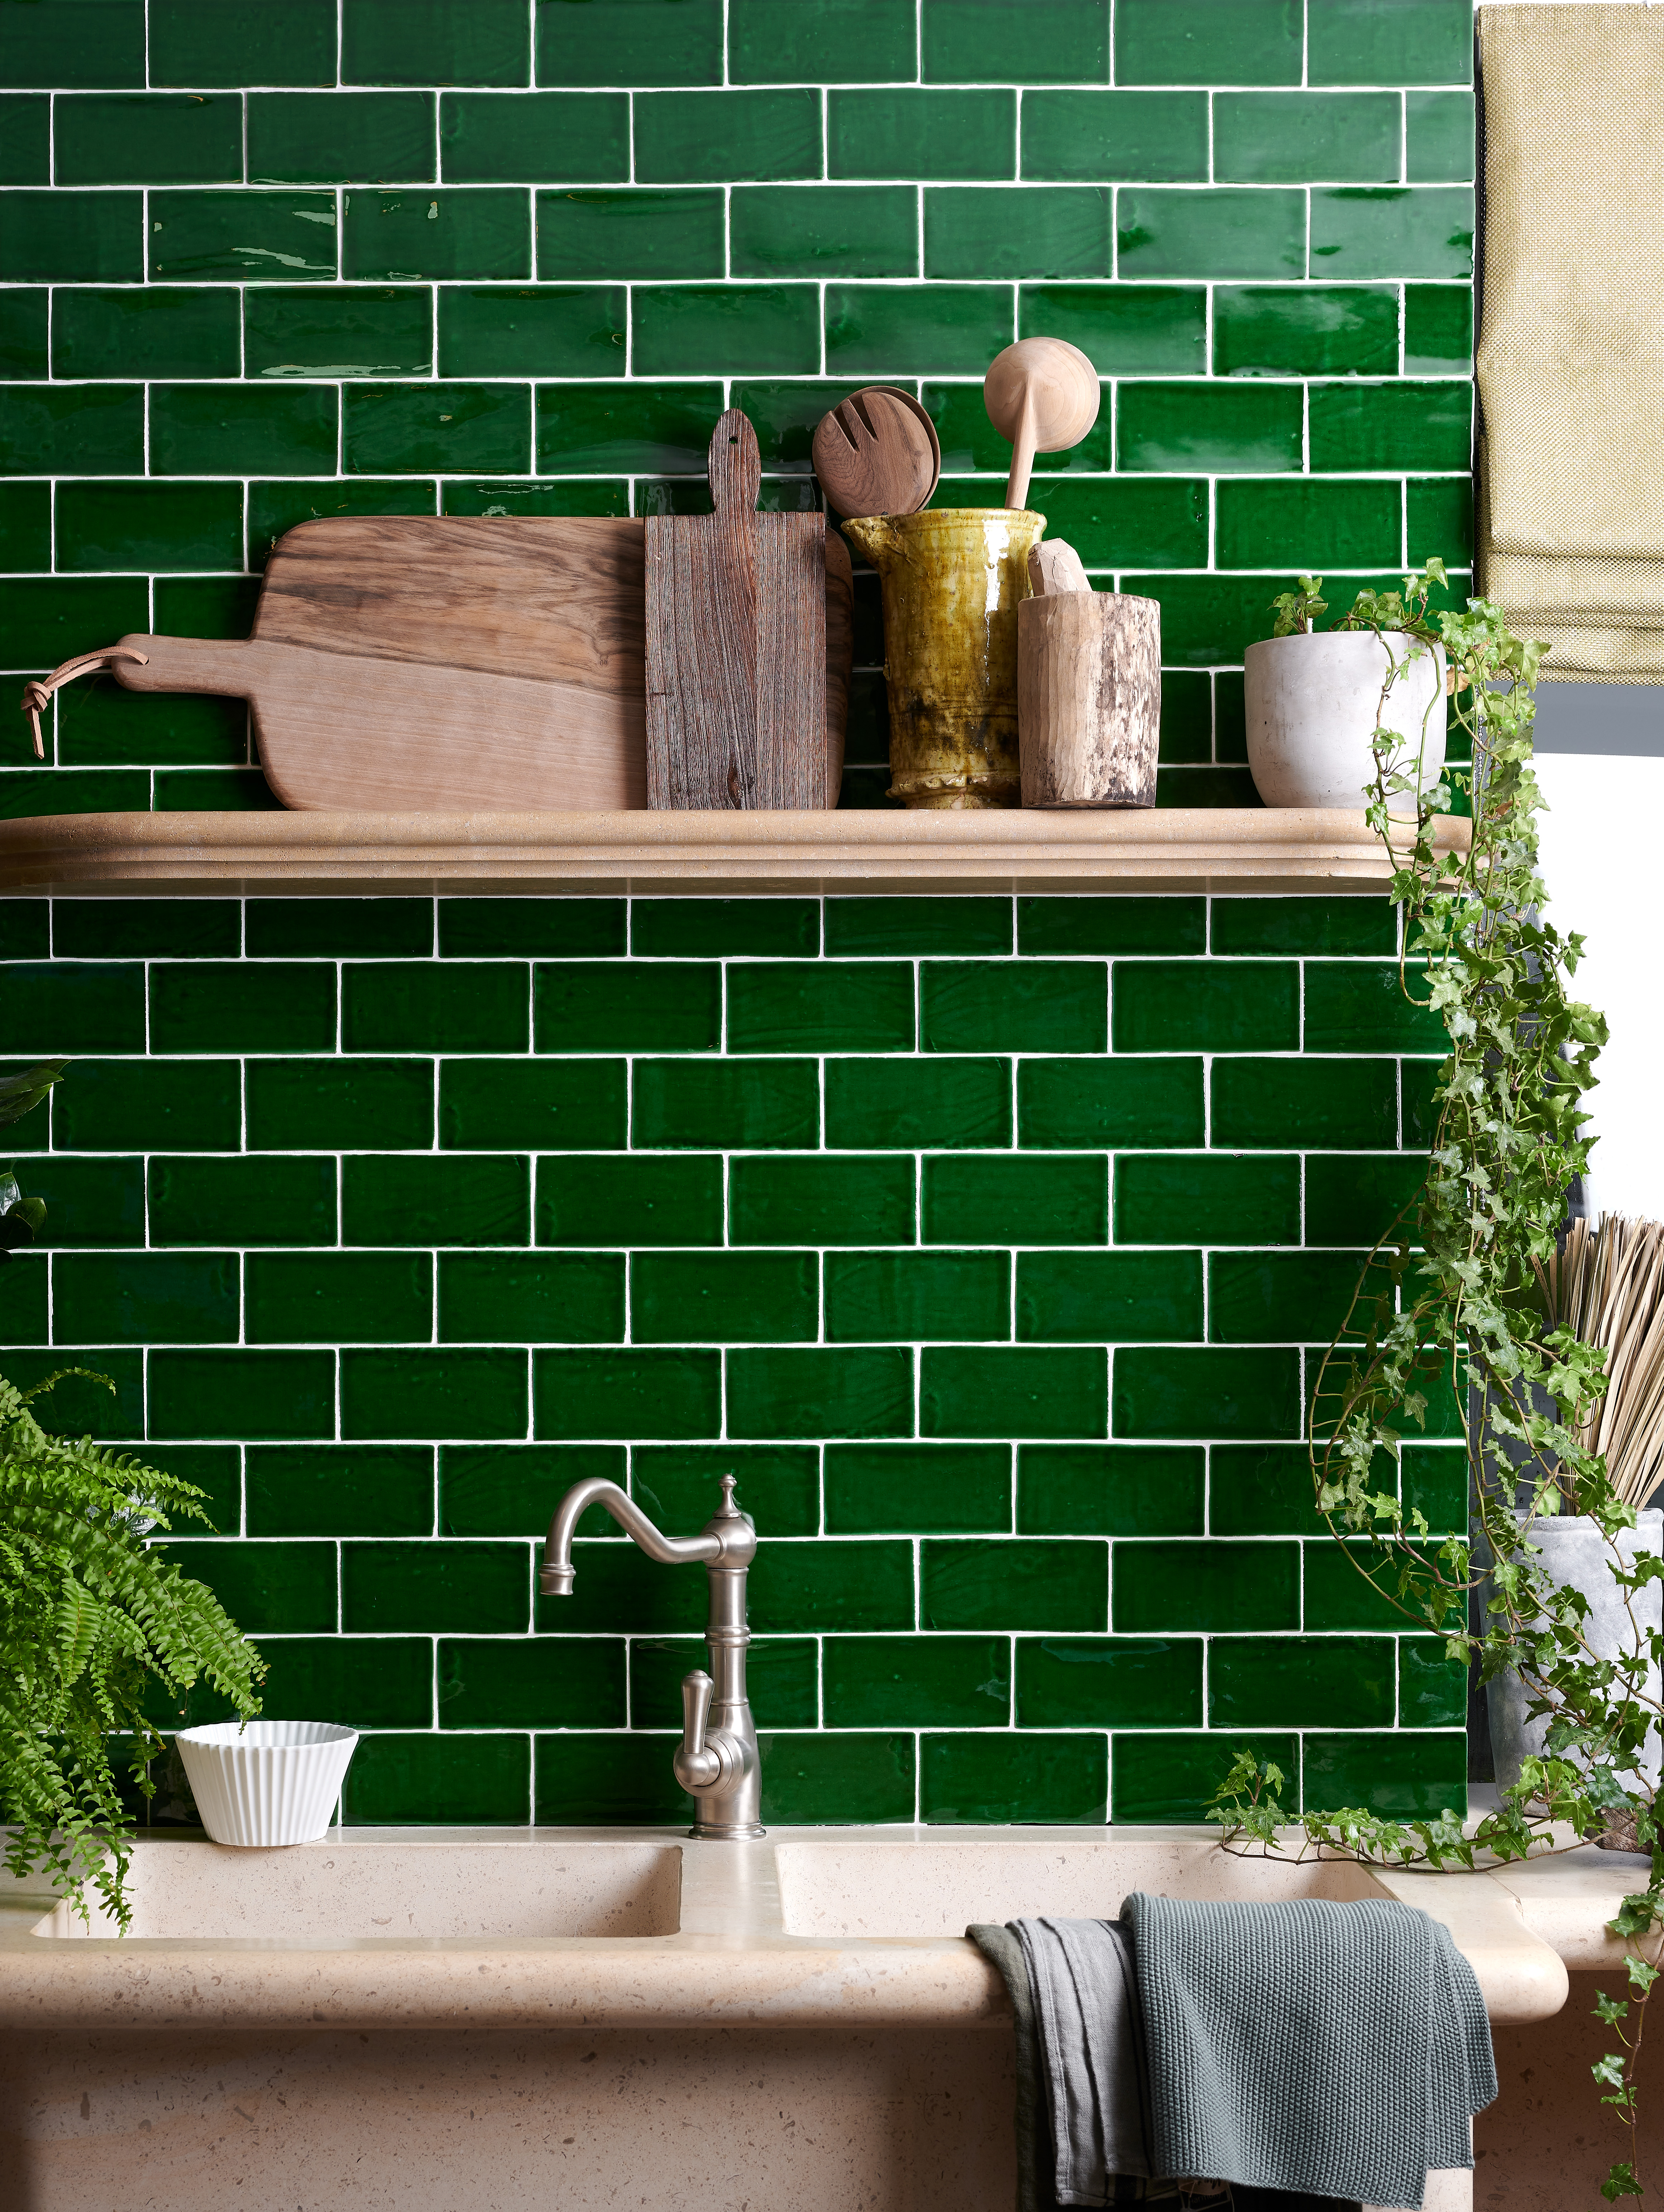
(981,1240)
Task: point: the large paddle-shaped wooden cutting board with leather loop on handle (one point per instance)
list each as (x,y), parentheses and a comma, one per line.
(413,665)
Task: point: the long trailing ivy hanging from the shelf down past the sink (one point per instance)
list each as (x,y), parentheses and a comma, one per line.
(1450,1313)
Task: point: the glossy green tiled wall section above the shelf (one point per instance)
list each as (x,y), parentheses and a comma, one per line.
(264,260)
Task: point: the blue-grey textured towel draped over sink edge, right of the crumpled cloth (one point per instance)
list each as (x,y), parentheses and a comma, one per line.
(1331,2049)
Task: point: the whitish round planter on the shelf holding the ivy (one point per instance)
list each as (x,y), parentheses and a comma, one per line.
(1313,707)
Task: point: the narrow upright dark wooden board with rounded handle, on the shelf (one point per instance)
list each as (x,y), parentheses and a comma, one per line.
(738,645)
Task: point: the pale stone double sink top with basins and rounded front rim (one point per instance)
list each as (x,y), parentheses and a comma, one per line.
(807,1928)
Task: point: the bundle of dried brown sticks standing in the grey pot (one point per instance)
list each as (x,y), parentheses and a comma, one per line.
(1608,1284)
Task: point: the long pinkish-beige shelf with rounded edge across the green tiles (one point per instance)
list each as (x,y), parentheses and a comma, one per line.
(1163,851)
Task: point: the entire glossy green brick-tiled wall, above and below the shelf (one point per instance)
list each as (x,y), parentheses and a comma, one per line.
(986,1242)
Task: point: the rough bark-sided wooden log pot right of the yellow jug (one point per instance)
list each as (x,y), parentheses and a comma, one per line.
(1090,700)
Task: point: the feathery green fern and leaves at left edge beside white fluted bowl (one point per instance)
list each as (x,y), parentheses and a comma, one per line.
(90,1620)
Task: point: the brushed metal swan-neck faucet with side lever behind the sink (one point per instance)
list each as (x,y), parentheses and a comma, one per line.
(718,1755)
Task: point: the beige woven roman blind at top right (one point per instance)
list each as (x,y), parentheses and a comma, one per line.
(1572,342)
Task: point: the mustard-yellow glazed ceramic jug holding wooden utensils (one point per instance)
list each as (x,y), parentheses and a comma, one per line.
(953,581)
